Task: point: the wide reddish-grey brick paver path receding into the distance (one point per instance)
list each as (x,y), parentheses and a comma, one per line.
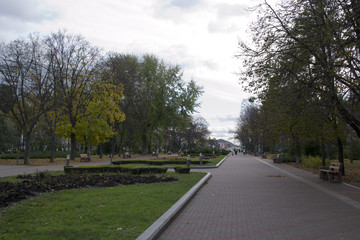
(249,198)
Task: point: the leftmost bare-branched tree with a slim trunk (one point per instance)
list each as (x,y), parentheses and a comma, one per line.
(25,72)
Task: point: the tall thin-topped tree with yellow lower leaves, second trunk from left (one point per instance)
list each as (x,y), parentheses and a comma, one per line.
(74,71)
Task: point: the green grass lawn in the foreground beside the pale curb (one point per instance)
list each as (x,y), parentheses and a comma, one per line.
(122,212)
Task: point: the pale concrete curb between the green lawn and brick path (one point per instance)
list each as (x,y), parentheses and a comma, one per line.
(159,225)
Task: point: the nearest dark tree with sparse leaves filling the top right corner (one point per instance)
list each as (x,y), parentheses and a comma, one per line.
(313,45)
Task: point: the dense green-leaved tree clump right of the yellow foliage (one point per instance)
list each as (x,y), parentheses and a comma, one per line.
(156,101)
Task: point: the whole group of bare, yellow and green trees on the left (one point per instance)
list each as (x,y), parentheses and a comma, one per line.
(135,102)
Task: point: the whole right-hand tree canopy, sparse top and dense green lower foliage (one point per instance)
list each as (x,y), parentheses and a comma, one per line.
(304,66)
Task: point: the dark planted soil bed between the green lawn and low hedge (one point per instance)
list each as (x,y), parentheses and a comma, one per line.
(44,182)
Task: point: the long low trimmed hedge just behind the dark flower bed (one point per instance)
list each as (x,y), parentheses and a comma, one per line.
(114,169)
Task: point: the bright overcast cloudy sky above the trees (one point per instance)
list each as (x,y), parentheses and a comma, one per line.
(199,35)
